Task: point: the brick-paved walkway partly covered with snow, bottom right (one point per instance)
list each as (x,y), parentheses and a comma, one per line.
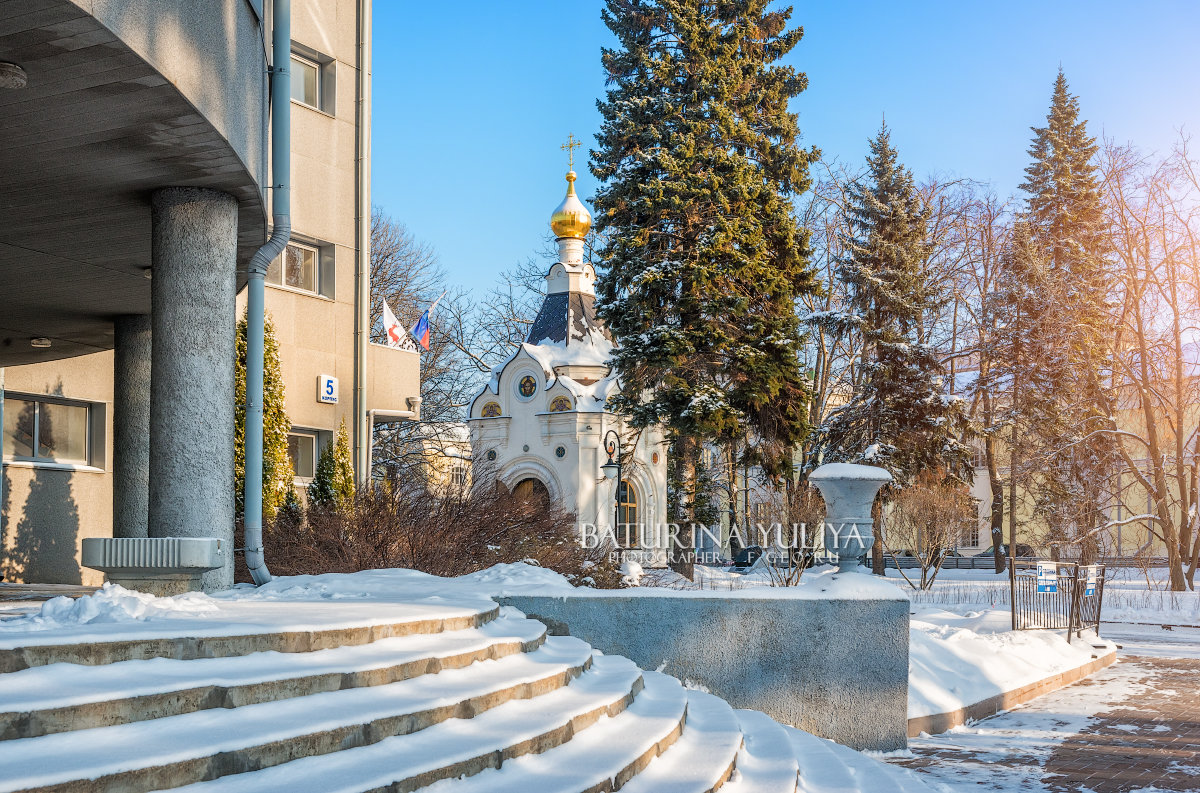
(1133,728)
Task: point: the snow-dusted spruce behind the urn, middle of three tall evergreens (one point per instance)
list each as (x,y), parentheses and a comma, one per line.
(901,416)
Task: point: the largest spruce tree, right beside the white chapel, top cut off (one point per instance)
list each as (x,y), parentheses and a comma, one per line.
(703,260)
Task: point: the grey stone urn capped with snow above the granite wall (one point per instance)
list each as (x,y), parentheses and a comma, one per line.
(849,492)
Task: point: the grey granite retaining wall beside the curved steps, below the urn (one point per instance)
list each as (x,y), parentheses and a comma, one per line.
(837,668)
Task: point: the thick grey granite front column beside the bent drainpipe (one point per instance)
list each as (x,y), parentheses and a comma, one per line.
(194,289)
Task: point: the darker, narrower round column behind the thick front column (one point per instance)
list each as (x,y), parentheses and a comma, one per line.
(131,426)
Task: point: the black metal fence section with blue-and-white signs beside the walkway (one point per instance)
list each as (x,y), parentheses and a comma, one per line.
(1072,606)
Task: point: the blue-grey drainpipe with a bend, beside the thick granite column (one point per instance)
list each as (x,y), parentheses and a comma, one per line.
(281,231)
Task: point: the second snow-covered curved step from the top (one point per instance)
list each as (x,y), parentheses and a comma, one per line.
(63,696)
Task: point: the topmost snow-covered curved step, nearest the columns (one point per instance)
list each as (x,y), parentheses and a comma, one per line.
(237,629)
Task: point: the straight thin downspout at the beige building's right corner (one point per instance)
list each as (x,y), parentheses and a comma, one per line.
(363,429)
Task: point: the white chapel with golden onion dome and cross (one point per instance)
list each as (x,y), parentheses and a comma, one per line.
(542,423)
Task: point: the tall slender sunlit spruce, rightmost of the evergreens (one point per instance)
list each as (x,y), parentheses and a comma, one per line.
(1066,219)
